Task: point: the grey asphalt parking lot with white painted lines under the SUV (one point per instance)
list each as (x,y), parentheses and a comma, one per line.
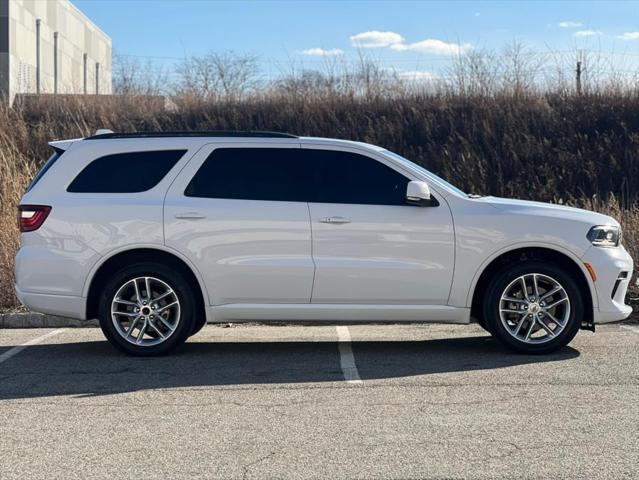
(411,401)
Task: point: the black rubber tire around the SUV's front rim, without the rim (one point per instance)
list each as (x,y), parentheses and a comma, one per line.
(503,279)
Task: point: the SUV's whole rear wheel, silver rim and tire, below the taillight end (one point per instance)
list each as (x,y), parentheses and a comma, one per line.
(146,309)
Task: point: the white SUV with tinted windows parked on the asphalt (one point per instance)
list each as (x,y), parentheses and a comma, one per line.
(156,234)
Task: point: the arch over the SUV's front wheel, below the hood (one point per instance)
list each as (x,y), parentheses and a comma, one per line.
(524,253)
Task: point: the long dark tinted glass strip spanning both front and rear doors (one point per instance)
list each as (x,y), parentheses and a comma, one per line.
(297,175)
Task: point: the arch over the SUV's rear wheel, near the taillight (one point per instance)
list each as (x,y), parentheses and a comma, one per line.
(115,260)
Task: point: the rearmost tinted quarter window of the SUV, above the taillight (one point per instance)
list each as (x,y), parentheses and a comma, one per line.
(125,172)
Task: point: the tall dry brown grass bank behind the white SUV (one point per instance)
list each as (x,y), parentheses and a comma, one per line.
(579,149)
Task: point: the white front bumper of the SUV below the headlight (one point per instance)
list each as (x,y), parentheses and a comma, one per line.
(613,267)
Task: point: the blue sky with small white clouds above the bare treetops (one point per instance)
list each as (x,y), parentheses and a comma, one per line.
(406,36)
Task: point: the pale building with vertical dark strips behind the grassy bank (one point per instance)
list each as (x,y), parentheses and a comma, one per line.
(49,46)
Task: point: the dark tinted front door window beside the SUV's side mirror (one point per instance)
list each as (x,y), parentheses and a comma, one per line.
(345,177)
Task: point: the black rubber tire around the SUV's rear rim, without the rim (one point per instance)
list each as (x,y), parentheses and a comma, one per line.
(183,292)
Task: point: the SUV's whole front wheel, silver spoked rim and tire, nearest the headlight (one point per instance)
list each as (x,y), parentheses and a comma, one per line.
(534,307)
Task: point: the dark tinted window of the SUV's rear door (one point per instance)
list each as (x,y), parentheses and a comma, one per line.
(252,173)
